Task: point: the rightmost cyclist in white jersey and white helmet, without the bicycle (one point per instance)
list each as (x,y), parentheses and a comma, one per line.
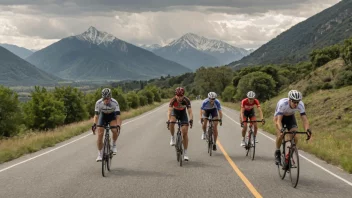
(285,115)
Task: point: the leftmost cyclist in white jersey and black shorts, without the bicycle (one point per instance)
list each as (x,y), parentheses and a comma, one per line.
(107,109)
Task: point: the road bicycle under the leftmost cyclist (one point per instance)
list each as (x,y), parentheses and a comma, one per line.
(107,152)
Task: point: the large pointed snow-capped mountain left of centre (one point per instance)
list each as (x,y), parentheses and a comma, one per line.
(95,55)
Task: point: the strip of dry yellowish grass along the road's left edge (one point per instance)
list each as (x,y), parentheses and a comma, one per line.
(30,142)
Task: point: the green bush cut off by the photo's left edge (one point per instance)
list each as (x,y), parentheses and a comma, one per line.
(10,112)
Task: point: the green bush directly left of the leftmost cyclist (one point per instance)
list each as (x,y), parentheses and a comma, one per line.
(72,98)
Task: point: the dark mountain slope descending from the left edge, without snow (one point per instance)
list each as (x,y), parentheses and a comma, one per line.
(16,71)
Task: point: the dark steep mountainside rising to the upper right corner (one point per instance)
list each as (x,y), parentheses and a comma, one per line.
(329,27)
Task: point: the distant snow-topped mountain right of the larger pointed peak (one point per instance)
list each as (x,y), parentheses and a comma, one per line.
(195,51)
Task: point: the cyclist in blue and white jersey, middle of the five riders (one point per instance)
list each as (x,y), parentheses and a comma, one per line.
(211,106)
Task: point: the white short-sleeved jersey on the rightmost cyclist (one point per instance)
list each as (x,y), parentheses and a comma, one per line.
(283,108)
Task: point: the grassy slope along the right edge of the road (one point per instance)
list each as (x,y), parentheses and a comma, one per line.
(330,115)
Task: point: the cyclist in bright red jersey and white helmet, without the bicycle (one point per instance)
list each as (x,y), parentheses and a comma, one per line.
(247,112)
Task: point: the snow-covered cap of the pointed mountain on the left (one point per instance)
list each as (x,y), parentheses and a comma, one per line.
(96,37)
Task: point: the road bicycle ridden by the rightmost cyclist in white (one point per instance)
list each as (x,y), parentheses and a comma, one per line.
(290,161)
